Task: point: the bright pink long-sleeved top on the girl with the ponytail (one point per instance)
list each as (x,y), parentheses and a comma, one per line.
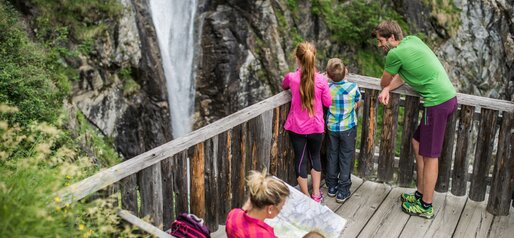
(298,120)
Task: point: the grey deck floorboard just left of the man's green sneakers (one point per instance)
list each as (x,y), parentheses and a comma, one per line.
(389,218)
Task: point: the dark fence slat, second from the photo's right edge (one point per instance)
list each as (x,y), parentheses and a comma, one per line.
(483,154)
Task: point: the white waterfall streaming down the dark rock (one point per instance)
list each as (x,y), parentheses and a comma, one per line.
(174,24)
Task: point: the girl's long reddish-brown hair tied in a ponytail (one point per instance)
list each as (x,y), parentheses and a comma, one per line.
(306,54)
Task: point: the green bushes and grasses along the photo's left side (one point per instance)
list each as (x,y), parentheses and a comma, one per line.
(43,146)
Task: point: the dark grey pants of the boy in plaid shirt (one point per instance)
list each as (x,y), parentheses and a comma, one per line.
(340,151)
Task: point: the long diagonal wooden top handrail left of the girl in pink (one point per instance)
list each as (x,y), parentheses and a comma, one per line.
(113,174)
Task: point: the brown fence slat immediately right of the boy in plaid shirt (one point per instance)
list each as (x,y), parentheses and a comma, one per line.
(369,122)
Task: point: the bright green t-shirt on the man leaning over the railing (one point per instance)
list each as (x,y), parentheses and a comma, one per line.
(420,68)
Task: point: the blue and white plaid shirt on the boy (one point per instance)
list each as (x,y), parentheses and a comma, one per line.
(341,115)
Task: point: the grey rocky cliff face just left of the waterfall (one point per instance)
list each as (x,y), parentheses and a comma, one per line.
(137,120)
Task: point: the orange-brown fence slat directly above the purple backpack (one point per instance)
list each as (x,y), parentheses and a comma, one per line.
(198,181)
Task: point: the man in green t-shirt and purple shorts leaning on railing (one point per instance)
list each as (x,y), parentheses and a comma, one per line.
(411,61)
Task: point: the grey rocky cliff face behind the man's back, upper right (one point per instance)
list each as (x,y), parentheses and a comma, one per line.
(481,55)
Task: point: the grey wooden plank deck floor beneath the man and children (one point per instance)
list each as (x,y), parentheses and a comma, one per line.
(374,210)
